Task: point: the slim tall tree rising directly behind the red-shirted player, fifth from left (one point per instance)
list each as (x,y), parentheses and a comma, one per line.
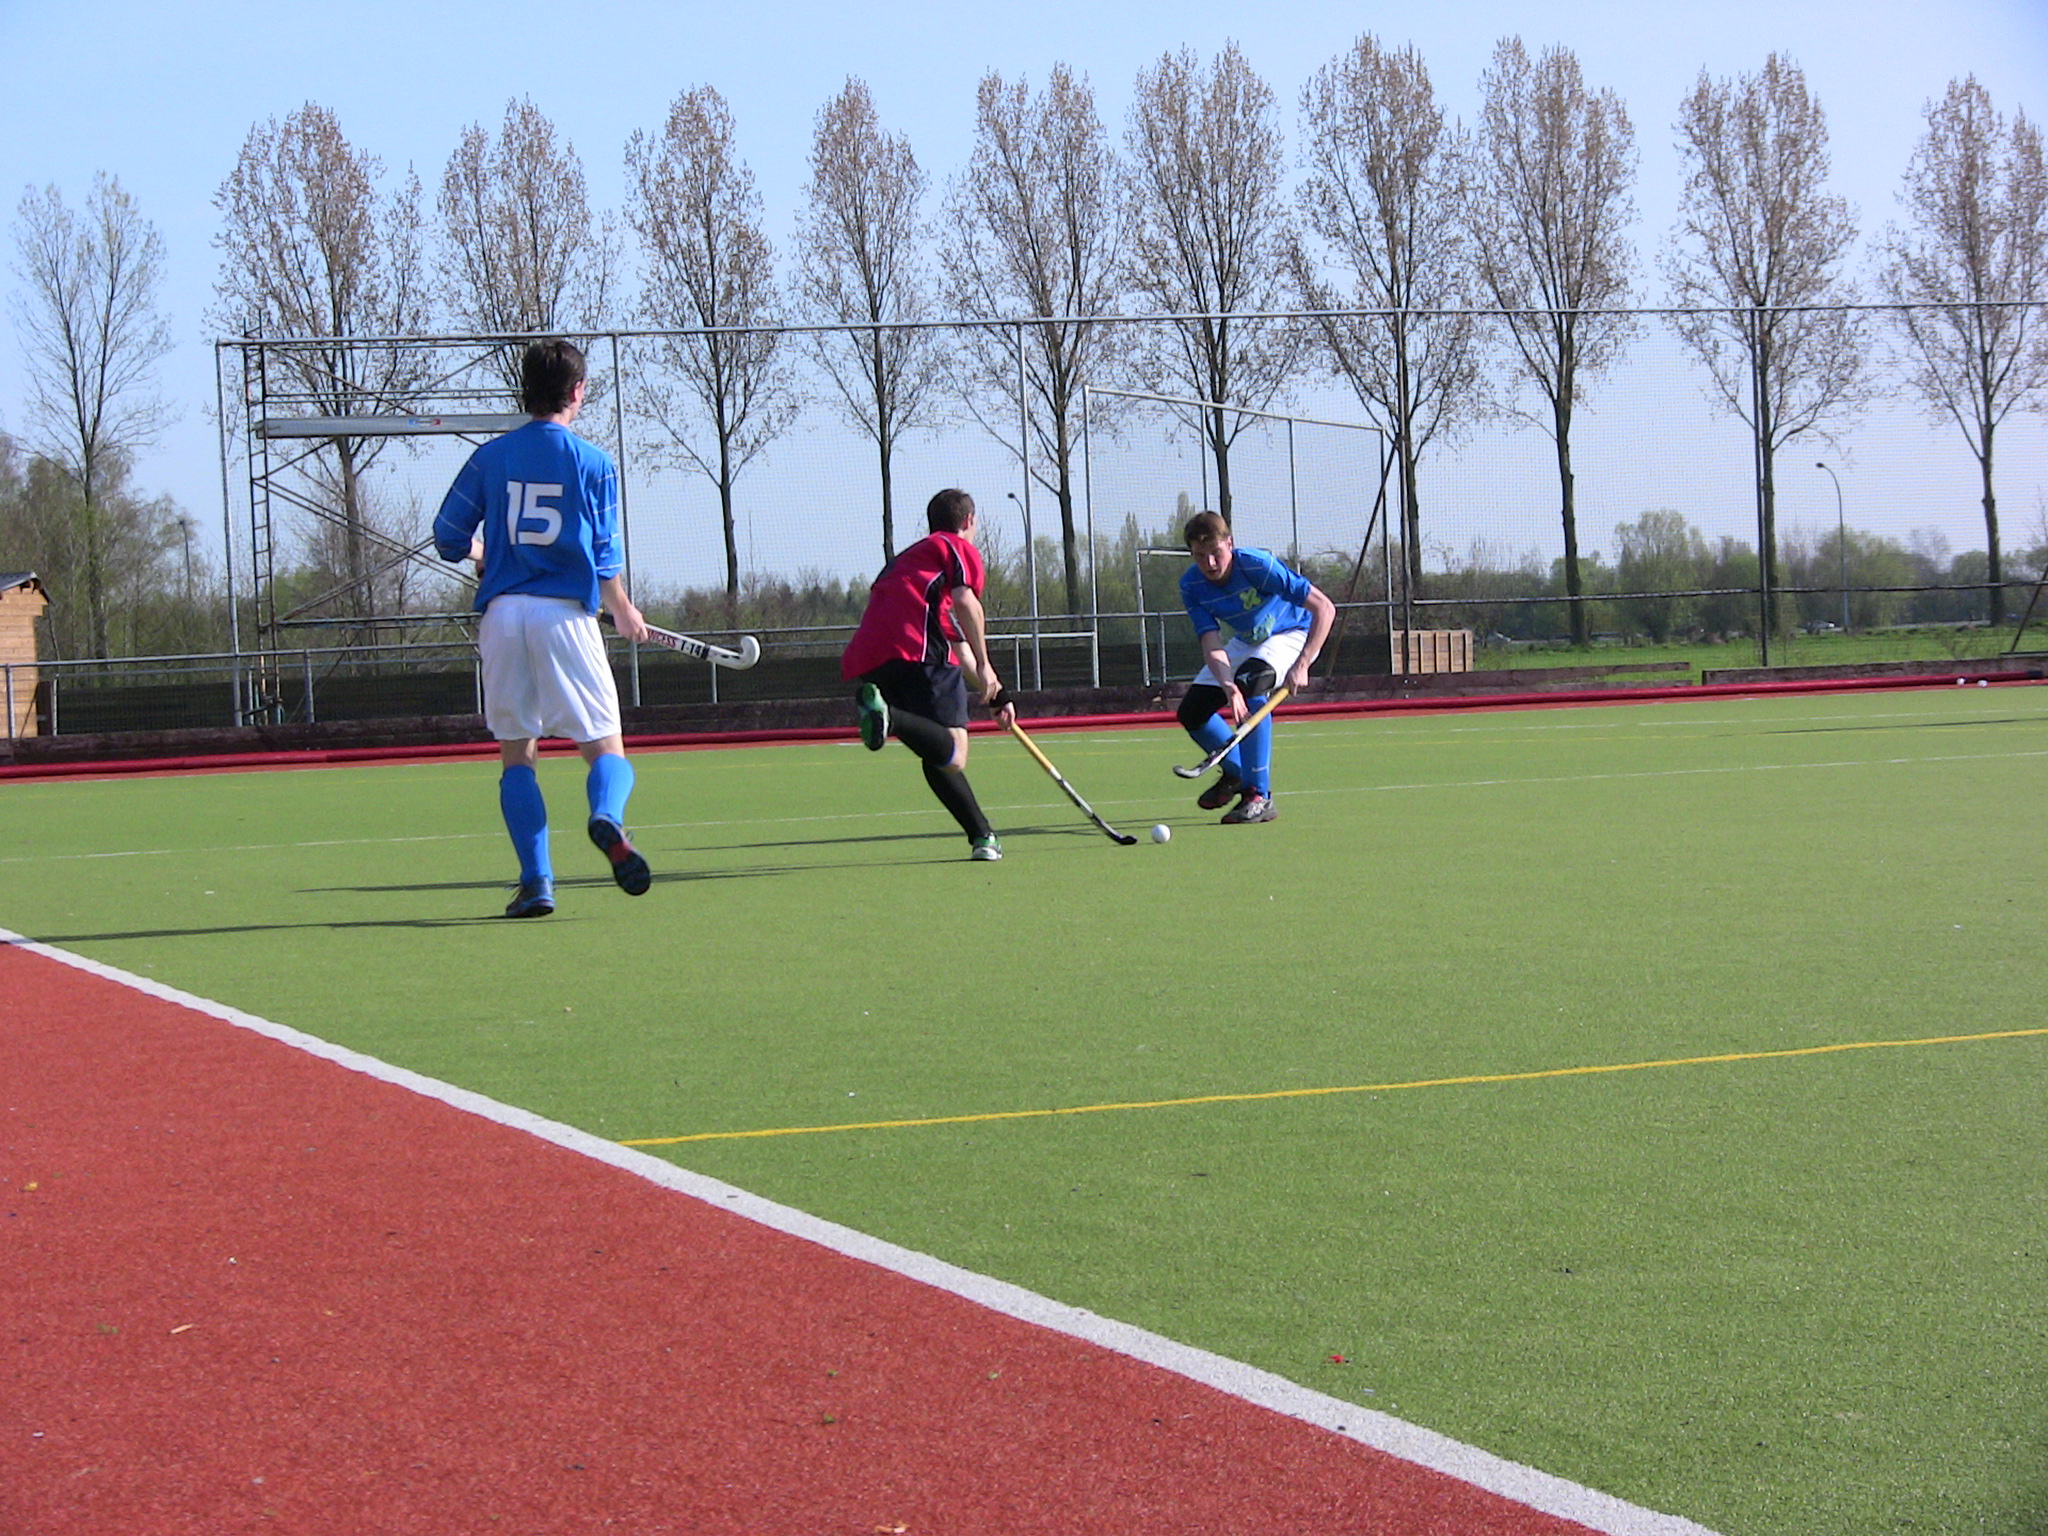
(861,267)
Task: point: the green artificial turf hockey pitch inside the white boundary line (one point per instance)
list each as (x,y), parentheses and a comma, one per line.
(1785,1295)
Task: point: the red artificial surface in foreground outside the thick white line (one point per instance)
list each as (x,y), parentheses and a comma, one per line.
(255,1289)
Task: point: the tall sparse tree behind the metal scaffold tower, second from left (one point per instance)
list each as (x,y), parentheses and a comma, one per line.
(314,249)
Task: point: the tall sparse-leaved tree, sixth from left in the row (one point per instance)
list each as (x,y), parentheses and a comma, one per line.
(1035,232)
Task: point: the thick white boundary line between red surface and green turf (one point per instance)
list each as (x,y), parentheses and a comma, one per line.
(1541,1492)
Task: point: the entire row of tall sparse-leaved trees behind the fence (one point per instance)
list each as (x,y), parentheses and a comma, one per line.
(1441,271)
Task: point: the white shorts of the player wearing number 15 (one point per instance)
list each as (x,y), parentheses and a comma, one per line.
(546,671)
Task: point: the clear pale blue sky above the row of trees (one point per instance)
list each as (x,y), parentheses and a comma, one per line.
(163,97)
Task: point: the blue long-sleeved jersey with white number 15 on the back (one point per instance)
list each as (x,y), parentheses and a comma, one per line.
(548,503)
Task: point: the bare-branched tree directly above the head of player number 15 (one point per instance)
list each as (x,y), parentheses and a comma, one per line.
(523,253)
